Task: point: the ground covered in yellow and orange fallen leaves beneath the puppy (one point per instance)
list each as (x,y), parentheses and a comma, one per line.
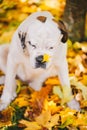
(47,109)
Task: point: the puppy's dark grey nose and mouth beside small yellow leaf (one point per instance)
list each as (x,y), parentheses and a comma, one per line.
(39,62)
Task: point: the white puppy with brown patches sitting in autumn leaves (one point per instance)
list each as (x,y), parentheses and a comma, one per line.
(37,51)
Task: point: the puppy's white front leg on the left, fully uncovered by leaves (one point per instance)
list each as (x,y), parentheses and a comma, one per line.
(10,86)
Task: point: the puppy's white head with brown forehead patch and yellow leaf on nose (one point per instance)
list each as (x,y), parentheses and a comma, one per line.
(42,39)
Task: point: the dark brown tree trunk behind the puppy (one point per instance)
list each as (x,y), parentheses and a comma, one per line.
(74,18)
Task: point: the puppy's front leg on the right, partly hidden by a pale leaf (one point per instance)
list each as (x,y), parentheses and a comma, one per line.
(64,79)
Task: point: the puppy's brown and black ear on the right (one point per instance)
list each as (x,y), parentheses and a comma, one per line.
(64,32)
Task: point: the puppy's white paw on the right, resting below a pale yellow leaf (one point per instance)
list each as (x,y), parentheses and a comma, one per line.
(73,104)
